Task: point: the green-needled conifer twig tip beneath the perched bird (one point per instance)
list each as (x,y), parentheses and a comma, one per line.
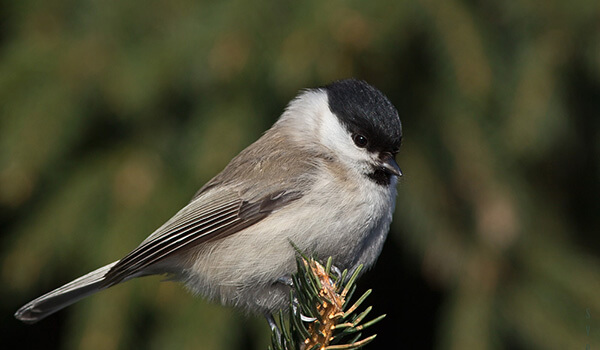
(321,316)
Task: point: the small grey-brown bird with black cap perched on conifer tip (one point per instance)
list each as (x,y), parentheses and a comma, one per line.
(322,178)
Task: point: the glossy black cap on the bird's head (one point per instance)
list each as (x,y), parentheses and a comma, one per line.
(366,111)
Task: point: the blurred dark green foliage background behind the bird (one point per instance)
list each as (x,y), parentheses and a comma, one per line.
(113,113)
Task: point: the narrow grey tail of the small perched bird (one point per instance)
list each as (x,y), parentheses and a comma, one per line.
(64,296)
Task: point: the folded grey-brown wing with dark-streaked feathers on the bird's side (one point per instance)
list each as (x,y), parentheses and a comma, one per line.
(197,223)
